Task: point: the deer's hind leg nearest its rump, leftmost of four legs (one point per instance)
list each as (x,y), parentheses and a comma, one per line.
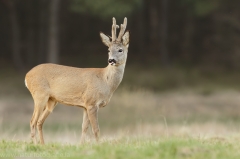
(39,104)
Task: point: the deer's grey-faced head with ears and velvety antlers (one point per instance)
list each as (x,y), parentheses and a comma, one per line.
(117,46)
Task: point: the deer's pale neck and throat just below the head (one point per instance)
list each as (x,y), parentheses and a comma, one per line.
(114,75)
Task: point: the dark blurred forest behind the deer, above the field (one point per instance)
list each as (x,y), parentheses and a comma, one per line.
(188,33)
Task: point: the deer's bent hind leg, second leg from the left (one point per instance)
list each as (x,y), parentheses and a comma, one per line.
(48,109)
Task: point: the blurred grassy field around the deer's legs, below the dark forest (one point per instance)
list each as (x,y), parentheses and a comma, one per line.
(198,119)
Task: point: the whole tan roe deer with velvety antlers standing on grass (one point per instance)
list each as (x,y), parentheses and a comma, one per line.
(89,88)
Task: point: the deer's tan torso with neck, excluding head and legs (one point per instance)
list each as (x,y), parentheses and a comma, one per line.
(93,86)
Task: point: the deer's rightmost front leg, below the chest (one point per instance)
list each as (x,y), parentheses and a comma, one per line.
(92,112)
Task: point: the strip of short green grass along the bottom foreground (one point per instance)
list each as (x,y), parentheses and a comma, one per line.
(131,148)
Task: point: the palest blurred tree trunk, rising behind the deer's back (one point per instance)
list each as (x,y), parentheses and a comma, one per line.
(53,52)
